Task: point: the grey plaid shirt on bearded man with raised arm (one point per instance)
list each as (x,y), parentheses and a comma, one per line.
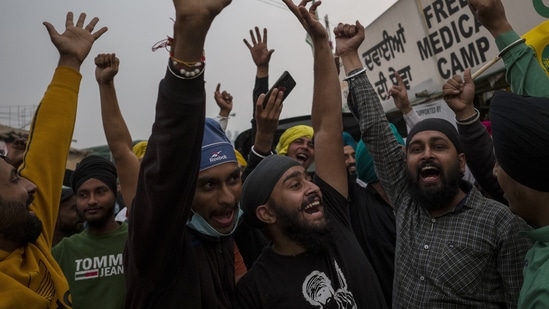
(472,257)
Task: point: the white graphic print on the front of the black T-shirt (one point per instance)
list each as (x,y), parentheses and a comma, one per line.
(318,290)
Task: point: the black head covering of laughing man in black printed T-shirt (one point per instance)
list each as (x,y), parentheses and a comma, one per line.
(260,184)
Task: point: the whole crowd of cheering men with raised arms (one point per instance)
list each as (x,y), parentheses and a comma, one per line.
(381,222)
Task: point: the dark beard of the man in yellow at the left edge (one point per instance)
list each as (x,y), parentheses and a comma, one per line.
(17,225)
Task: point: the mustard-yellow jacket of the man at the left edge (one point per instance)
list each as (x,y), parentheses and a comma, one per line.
(29,276)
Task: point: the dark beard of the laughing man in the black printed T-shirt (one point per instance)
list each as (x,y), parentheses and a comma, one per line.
(314,238)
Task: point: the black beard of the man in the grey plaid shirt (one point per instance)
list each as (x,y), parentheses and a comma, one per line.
(435,197)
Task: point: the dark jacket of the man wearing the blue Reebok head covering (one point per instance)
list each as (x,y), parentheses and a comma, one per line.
(166,265)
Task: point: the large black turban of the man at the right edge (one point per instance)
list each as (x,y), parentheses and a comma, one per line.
(520,130)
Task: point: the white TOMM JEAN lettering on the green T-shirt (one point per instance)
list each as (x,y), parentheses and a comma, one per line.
(98,267)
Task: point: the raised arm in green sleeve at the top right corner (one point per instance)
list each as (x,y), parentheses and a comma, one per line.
(524,72)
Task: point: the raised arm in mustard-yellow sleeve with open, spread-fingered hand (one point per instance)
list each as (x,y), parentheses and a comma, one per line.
(53,124)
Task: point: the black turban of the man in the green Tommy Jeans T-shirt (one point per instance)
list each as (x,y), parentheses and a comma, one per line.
(94,167)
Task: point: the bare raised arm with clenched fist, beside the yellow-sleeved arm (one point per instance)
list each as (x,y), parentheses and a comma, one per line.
(116,132)
